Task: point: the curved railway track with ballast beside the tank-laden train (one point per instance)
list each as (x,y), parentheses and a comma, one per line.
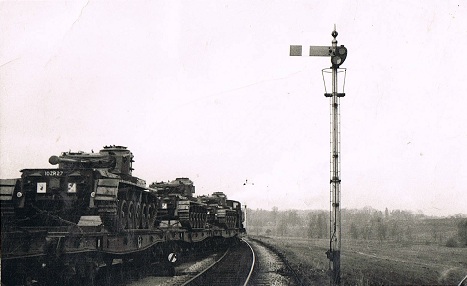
(247,263)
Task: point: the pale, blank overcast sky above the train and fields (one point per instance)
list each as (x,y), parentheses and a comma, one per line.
(207,90)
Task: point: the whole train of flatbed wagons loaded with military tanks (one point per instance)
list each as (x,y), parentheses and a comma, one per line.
(63,225)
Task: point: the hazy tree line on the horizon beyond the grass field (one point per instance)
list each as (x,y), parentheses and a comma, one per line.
(361,224)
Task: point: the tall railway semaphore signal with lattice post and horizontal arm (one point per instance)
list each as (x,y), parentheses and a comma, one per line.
(338,54)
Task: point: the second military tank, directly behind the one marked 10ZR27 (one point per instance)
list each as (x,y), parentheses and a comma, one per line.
(178,205)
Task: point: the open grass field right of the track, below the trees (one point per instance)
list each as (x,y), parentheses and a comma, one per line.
(375,263)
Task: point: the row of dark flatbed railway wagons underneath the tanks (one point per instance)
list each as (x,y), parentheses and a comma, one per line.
(77,253)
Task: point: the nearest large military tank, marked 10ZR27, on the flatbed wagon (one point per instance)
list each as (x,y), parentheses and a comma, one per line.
(84,184)
